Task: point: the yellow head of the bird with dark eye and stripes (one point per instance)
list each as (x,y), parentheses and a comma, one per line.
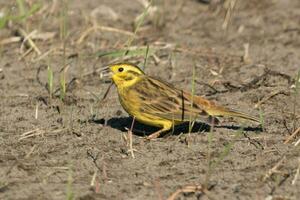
(123,74)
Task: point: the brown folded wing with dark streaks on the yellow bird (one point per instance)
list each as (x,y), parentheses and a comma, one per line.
(167,102)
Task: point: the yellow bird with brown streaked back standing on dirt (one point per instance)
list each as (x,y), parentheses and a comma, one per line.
(157,103)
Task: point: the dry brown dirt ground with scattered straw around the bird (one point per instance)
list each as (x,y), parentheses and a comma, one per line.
(78,148)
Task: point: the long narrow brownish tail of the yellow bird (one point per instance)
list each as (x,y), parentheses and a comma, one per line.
(222,111)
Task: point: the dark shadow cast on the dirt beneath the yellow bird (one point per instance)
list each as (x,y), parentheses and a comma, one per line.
(124,124)
